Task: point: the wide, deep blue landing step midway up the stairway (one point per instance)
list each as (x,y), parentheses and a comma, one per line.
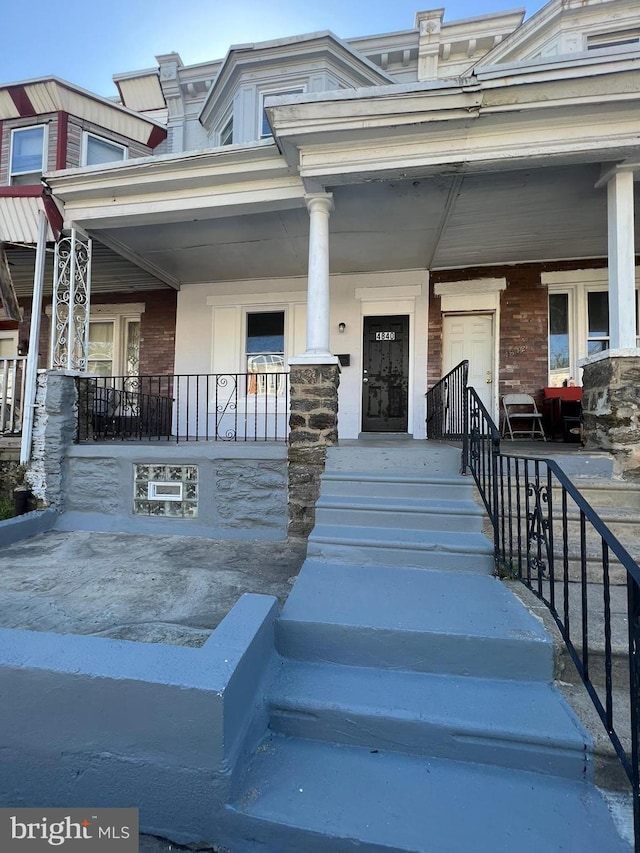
(405,618)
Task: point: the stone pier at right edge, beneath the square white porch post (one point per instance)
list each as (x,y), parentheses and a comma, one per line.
(611,407)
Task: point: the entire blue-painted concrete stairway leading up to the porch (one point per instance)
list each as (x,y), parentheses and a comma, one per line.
(413,707)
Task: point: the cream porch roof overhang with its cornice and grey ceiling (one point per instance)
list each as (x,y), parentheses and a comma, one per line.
(436,176)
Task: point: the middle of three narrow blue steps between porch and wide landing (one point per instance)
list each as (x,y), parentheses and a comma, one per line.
(399,513)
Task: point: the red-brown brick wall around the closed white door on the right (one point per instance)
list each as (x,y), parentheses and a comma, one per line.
(523,360)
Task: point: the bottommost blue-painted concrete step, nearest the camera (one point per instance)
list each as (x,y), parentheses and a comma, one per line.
(300,795)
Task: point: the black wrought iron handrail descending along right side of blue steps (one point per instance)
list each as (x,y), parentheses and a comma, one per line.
(547,536)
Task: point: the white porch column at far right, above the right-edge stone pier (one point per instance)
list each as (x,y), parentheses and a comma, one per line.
(622,294)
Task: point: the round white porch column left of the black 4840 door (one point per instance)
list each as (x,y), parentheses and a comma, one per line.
(320,206)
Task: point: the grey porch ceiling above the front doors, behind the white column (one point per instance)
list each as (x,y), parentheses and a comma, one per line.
(442,221)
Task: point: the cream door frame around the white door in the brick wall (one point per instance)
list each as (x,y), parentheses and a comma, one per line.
(478,296)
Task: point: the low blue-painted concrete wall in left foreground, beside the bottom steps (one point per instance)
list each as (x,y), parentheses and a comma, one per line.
(87,721)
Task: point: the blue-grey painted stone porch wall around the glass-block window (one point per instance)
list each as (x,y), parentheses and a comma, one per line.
(242,489)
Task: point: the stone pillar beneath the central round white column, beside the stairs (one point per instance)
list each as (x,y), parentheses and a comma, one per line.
(313,426)
